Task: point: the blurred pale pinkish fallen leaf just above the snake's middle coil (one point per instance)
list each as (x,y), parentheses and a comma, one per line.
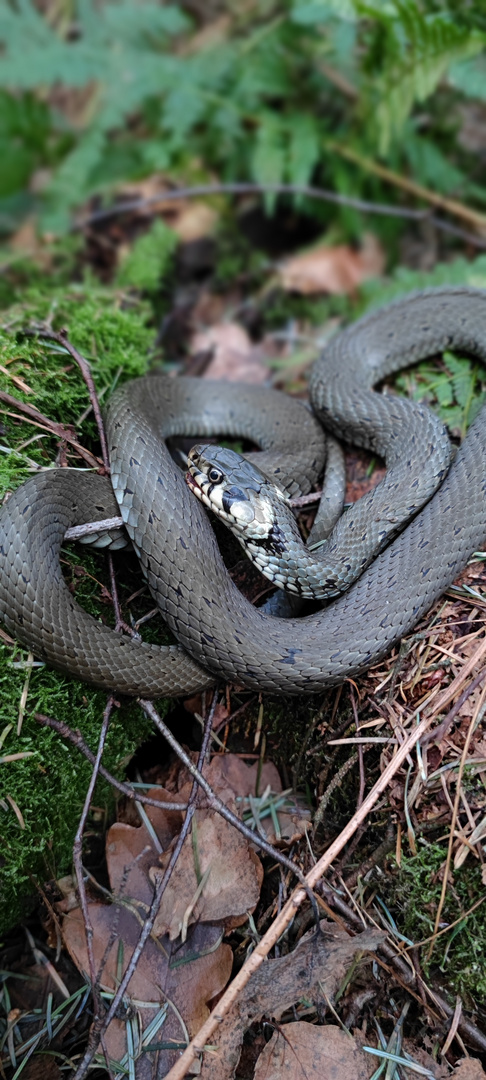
(234,357)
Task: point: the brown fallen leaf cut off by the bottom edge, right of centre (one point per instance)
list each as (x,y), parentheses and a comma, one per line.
(302,1051)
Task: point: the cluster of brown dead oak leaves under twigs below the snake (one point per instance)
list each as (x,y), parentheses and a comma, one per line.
(215,885)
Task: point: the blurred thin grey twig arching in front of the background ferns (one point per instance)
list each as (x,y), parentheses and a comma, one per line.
(312,193)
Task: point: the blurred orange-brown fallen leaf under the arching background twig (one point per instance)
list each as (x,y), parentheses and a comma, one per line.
(334,271)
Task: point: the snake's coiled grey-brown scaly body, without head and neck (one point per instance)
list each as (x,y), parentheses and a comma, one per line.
(221,634)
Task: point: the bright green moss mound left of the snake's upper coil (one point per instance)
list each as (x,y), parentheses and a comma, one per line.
(113,334)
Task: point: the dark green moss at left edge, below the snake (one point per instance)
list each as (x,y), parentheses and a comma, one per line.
(49,788)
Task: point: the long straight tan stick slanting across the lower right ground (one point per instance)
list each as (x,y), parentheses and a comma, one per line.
(293,904)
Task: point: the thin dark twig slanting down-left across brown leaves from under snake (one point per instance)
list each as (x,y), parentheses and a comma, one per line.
(148,924)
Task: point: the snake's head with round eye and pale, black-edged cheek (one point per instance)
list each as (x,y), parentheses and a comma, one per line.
(236,490)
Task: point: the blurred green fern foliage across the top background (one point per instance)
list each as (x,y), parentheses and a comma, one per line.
(269,94)
